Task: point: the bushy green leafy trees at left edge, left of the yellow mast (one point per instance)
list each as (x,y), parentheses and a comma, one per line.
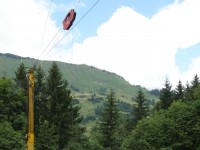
(12,116)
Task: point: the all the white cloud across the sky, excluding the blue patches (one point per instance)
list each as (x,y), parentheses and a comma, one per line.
(140,49)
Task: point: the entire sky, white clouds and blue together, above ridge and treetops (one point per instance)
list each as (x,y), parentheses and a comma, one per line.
(144,41)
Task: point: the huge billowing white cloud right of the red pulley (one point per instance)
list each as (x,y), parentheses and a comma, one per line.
(140,49)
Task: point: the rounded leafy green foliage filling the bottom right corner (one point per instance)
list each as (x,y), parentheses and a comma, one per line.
(176,128)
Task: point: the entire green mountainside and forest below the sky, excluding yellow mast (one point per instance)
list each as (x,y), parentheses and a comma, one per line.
(97,110)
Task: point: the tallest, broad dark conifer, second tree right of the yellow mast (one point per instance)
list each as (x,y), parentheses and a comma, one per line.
(62,111)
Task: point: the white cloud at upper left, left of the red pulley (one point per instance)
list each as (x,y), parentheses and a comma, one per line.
(22,27)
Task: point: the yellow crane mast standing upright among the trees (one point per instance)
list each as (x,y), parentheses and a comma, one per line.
(30,135)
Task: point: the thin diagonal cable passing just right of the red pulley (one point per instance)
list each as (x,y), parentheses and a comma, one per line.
(73,27)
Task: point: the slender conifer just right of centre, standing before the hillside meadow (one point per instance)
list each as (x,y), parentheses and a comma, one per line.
(109,123)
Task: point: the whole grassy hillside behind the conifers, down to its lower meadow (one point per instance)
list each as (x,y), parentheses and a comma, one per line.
(89,85)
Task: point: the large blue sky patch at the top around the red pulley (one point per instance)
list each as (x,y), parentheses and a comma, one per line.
(104,10)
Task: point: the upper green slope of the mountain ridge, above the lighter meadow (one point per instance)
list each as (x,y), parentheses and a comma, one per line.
(81,78)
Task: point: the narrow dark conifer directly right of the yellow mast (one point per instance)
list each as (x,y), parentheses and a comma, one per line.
(40,115)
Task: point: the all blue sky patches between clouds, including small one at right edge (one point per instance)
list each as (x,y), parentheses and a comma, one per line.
(104,10)
